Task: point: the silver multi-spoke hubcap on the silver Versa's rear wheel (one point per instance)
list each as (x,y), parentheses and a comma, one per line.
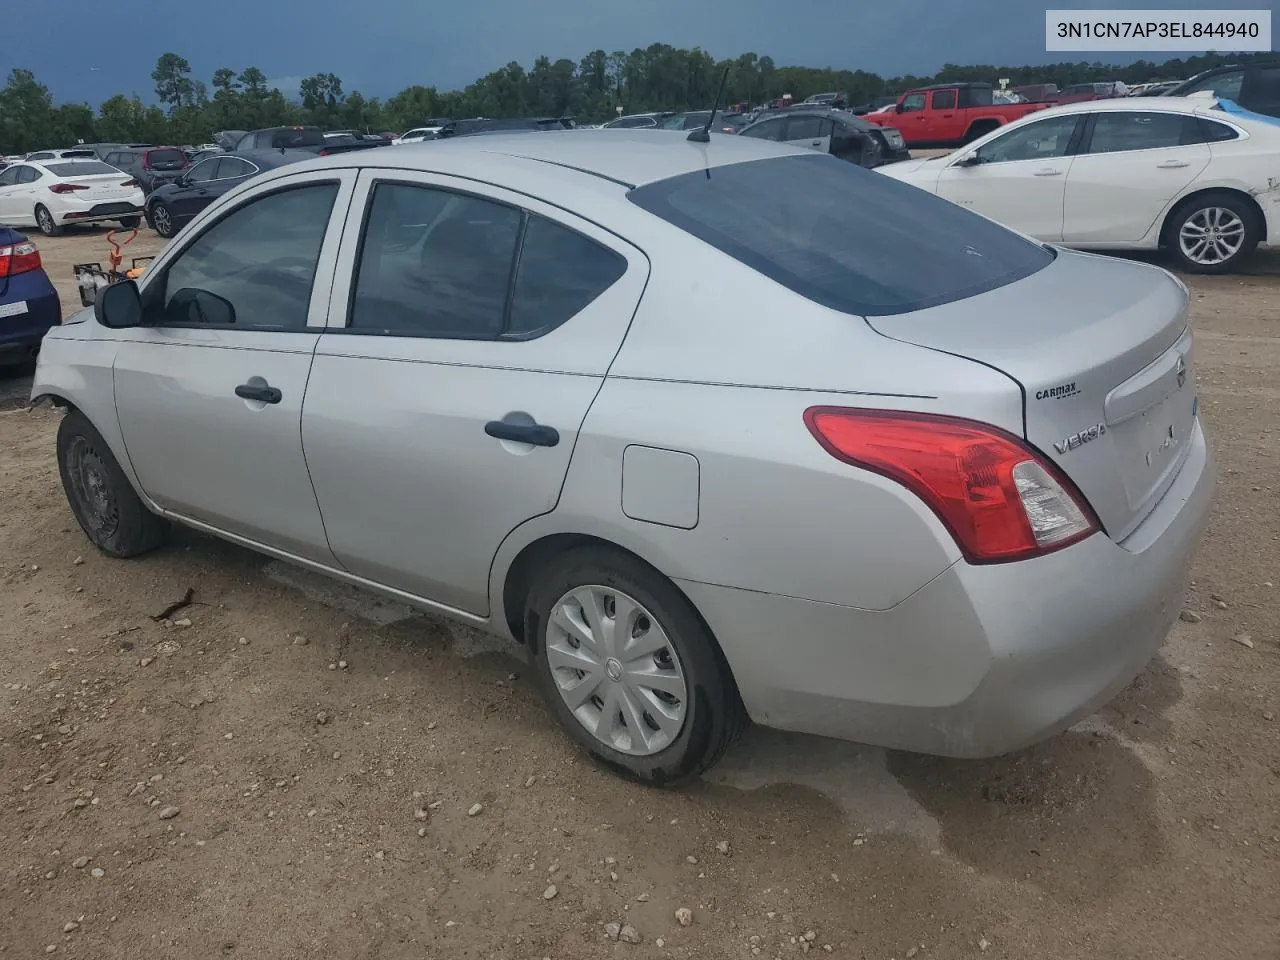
(616,670)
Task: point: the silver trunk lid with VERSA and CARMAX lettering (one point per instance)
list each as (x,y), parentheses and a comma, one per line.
(1103,353)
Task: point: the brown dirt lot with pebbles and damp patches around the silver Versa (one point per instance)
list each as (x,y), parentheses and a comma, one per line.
(323,752)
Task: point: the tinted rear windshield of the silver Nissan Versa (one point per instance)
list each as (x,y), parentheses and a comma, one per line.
(845,237)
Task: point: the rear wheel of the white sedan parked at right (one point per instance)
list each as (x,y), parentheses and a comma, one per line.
(1236,223)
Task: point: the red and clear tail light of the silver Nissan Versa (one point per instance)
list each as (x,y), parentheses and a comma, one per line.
(1000,500)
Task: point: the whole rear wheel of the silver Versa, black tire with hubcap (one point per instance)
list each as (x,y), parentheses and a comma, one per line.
(711,711)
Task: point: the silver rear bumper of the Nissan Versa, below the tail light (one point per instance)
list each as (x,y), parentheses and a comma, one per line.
(981,661)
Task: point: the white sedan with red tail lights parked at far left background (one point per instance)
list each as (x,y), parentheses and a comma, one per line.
(53,194)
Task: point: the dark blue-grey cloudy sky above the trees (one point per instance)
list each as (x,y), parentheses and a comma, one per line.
(86,51)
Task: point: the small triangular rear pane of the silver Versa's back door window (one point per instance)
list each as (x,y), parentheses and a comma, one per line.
(560,273)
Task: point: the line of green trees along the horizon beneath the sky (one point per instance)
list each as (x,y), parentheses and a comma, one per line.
(659,77)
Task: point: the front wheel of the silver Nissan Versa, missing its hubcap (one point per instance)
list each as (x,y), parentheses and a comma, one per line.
(100,496)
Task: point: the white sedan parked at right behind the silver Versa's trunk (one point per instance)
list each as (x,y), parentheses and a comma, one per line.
(1174,173)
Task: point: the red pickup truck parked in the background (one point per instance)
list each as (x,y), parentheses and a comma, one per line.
(949,115)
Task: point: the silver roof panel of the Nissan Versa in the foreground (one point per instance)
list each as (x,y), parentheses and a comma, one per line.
(628,157)
